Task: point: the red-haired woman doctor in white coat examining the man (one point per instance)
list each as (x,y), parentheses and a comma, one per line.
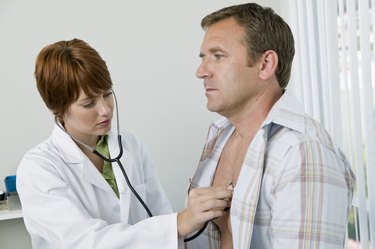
(73,198)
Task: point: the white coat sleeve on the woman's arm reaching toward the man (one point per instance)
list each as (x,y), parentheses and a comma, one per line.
(54,212)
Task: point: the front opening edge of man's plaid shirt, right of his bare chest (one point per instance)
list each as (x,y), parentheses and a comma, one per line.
(246,194)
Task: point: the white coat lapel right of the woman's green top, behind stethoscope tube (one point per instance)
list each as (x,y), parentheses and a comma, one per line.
(123,188)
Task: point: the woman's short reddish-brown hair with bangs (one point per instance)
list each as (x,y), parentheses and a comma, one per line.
(63,68)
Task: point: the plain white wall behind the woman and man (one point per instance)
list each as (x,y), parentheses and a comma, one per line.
(151,48)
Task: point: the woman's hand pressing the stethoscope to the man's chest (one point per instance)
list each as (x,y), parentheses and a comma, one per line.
(203,204)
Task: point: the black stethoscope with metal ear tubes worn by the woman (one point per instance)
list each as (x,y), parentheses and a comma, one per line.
(117,160)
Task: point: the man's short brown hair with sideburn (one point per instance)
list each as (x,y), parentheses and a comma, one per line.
(264,30)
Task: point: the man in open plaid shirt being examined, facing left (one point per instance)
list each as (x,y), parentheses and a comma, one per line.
(292,185)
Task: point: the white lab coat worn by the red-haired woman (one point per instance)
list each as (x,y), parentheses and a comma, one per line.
(67,203)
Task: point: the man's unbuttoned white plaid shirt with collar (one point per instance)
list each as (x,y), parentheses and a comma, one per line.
(295,187)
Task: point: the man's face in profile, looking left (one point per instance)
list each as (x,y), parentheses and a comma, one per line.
(230,83)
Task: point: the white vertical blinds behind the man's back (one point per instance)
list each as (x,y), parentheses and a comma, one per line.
(333,76)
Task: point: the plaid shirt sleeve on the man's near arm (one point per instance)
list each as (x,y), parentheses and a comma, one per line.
(312,194)
